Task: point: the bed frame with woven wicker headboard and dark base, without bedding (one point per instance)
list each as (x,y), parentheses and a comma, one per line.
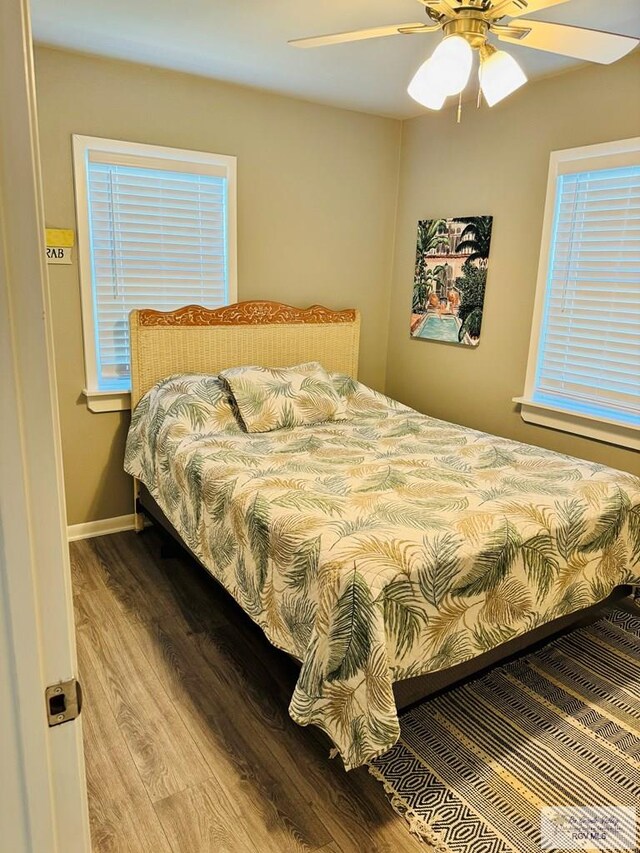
(270,334)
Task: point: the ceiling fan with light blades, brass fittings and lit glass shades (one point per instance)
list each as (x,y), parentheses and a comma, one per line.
(466,25)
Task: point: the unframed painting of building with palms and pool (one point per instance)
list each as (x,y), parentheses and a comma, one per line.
(452,256)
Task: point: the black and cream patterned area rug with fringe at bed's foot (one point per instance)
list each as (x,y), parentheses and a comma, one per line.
(561,727)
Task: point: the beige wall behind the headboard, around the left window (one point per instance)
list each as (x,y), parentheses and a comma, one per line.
(316,206)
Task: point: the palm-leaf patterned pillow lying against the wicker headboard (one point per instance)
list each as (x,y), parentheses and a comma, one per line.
(270,398)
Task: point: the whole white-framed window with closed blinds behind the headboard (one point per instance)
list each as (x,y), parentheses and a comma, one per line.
(156,229)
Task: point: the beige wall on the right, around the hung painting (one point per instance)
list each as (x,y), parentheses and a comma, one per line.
(496,163)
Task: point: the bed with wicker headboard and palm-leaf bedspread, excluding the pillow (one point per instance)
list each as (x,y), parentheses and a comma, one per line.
(379,550)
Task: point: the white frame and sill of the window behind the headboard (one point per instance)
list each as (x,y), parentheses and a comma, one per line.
(117,400)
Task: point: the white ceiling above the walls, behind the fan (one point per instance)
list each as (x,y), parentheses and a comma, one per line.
(245,41)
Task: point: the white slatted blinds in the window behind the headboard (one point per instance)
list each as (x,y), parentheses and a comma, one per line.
(157,232)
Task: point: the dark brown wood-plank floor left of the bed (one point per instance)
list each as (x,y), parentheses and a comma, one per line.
(188,744)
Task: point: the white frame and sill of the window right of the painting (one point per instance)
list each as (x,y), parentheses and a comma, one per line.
(571,160)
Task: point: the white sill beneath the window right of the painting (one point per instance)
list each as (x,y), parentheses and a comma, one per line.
(565,420)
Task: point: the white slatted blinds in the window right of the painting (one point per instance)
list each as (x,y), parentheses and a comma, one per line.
(589,349)
